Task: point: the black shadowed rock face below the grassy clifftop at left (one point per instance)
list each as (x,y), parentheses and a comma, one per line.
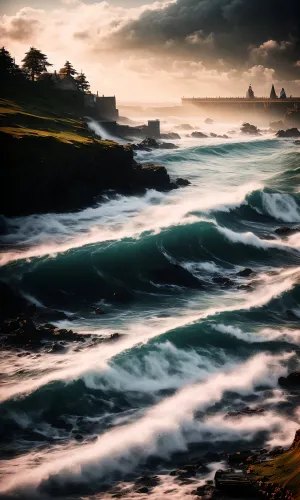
(42,174)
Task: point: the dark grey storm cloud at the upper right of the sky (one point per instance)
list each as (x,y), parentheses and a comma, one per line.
(231,29)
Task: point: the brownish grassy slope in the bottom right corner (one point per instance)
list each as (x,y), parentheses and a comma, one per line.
(282,471)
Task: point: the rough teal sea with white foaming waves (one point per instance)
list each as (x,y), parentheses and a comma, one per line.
(204,292)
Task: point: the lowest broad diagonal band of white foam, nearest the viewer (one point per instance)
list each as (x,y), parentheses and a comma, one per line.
(165,428)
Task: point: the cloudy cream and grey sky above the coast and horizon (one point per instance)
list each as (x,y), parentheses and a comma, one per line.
(163,50)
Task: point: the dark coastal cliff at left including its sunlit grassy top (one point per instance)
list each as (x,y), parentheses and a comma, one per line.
(53,163)
